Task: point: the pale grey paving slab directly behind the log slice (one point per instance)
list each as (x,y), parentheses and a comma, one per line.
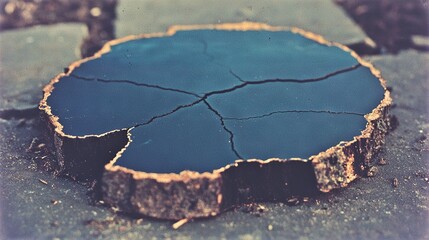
(322,17)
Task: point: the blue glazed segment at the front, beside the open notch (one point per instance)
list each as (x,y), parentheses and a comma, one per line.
(192,138)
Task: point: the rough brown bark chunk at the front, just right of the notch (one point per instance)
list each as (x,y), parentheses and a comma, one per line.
(168,196)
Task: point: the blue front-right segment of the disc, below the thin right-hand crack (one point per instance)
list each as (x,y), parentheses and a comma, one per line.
(296,134)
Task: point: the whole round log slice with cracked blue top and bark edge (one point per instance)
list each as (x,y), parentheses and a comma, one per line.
(188,123)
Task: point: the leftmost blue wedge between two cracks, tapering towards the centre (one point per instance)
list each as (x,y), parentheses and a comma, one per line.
(90,107)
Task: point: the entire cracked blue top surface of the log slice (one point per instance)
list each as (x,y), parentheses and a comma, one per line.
(201,99)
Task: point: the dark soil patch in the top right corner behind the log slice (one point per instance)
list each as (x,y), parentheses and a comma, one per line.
(390,25)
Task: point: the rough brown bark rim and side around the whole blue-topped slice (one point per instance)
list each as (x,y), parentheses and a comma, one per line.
(151,194)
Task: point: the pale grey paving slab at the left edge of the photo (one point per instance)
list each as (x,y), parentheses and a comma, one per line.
(30,57)
